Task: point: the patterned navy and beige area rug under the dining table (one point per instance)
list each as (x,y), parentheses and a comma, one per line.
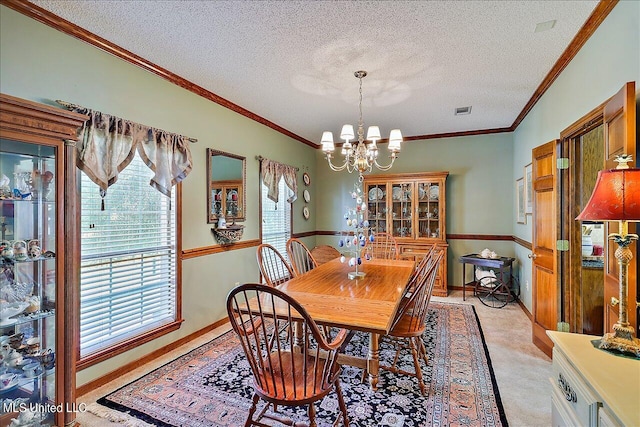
(211,385)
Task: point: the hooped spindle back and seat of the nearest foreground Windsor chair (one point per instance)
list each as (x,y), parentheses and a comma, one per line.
(288,368)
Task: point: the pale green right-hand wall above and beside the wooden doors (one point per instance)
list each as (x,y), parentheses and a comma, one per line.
(609,59)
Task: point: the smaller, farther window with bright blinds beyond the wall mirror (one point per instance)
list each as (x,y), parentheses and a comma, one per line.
(276,219)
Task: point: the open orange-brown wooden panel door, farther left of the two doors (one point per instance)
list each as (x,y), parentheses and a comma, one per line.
(544,270)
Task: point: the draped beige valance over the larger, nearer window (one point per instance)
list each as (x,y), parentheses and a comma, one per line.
(108,143)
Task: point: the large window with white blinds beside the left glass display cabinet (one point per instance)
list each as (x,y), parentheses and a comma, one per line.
(128,280)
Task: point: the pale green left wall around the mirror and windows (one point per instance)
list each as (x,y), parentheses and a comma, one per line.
(41,64)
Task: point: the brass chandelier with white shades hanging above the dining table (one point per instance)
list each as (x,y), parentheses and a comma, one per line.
(360,156)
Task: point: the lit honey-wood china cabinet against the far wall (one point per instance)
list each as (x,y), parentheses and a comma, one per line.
(412,208)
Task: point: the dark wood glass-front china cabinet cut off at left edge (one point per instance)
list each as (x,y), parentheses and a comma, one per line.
(38,270)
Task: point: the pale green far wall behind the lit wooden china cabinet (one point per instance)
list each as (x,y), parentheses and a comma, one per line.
(479,190)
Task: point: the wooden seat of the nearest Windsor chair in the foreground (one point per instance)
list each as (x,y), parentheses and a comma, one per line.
(282,366)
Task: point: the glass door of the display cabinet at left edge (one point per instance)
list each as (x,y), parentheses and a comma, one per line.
(28,277)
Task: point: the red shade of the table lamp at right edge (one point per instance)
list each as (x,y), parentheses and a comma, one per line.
(616,197)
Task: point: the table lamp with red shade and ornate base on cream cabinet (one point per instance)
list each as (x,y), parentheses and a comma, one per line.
(616,197)
